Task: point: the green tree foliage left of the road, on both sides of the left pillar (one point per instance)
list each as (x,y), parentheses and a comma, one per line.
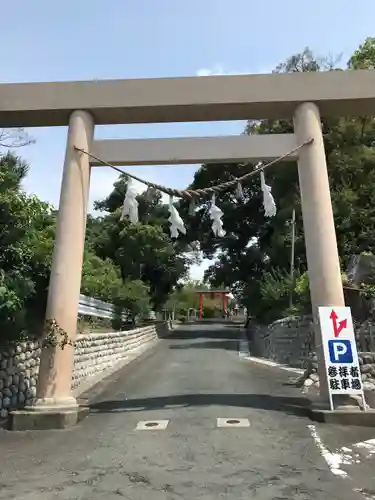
(134,267)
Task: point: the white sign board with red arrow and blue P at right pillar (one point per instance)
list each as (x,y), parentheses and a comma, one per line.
(340,351)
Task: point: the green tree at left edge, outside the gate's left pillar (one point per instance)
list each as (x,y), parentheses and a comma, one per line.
(26,239)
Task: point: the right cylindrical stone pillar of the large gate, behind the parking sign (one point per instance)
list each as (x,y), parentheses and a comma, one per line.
(319,227)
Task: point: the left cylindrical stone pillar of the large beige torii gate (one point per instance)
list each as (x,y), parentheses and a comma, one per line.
(55,374)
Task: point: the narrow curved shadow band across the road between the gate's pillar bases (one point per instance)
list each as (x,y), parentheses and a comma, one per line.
(291,405)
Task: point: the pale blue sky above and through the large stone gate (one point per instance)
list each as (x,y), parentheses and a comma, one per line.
(103,39)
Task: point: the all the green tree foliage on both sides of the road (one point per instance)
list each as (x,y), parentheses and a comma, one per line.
(137,266)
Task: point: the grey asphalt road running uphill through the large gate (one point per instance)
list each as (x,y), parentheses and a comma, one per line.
(189,380)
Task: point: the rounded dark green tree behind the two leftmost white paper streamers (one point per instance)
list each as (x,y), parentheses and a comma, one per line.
(143,251)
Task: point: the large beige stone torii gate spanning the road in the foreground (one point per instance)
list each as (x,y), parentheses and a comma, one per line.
(302,97)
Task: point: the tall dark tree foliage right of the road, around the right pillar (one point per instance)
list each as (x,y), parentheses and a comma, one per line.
(255,255)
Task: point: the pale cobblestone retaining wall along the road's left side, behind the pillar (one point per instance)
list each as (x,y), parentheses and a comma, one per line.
(94,354)
